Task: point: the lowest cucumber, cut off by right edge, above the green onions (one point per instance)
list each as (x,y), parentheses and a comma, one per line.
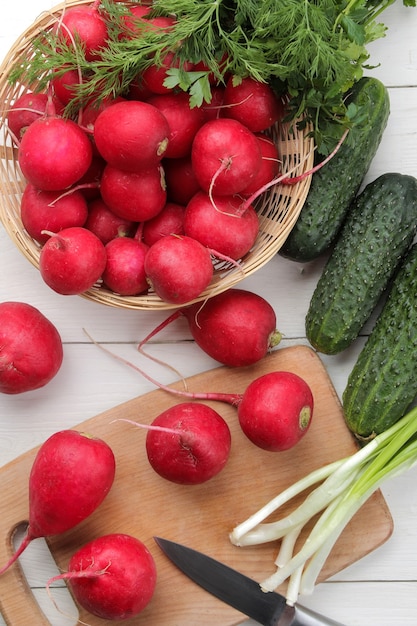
(382,384)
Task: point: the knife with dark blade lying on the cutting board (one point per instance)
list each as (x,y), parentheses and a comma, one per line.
(239,591)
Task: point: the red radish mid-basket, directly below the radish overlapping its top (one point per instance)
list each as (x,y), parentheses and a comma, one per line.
(134,196)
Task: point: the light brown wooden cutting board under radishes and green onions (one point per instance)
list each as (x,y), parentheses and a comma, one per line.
(144,505)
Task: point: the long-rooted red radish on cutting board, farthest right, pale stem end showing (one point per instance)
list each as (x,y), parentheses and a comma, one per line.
(274,411)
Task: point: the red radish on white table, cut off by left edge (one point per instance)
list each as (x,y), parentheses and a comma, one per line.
(31,351)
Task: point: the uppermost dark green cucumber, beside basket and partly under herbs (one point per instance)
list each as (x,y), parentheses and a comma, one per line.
(334,186)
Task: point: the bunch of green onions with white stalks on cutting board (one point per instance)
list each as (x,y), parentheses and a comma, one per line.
(344,486)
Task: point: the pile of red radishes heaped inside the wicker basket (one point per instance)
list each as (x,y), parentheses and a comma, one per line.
(143,191)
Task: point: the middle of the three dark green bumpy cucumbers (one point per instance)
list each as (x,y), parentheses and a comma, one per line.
(376,235)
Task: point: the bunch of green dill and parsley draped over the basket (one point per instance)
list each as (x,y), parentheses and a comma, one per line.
(313,51)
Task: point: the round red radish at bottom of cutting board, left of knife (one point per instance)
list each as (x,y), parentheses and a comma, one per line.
(113,576)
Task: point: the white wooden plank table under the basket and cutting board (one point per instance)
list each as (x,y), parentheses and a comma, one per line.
(380,589)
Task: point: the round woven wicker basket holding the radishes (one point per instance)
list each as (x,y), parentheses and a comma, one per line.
(278,209)
